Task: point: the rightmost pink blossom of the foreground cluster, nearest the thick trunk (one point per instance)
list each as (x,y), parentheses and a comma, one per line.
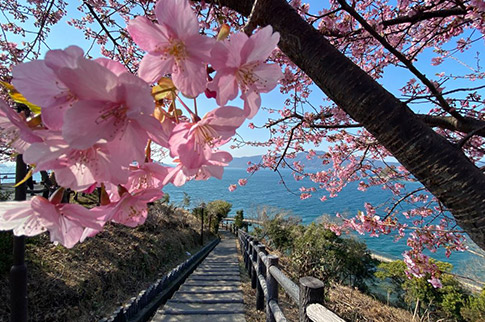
(240,62)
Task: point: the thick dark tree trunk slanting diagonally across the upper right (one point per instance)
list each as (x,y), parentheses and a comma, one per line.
(439,165)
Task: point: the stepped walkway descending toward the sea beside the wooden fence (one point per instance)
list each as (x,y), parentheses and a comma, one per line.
(212,292)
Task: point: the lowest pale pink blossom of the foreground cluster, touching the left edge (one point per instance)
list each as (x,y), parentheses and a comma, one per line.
(65,222)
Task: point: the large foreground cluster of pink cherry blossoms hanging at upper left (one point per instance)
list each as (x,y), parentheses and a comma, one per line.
(97,120)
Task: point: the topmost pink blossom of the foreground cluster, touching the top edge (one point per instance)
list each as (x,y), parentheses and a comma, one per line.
(174,46)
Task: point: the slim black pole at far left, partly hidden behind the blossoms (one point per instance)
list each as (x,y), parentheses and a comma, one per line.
(18,272)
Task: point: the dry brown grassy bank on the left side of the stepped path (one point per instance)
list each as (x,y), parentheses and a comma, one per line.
(89,281)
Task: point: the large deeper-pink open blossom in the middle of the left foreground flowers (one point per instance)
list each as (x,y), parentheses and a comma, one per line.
(113,107)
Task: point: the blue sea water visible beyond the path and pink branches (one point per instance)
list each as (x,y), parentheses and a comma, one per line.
(264,189)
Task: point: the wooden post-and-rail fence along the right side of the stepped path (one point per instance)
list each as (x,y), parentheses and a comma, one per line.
(266,277)
